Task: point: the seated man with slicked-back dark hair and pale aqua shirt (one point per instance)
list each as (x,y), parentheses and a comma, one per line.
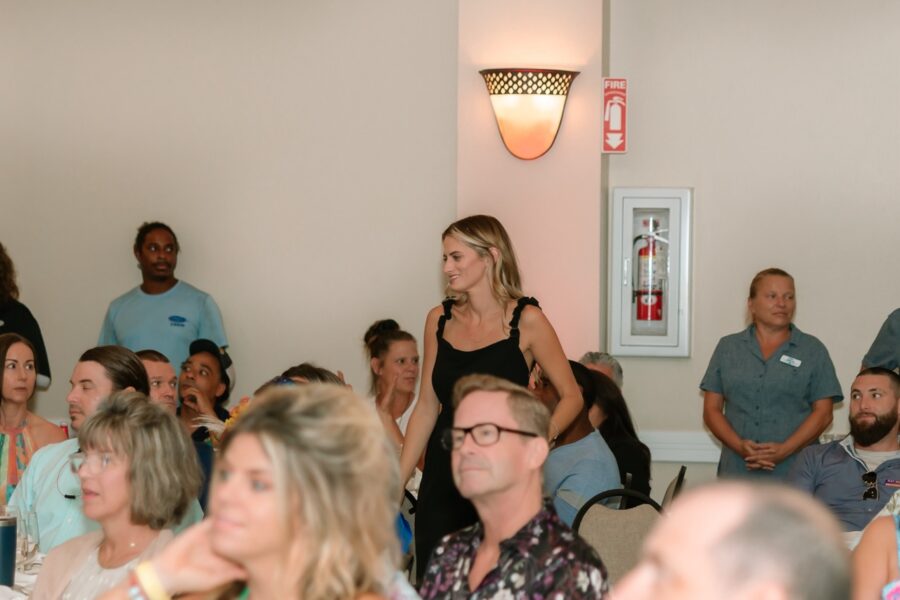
(49,487)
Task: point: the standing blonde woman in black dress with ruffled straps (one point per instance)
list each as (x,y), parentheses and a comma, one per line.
(487,326)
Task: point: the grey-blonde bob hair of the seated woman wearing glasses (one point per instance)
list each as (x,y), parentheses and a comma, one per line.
(162,464)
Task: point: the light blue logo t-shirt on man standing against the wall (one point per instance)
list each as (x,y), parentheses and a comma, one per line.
(166,322)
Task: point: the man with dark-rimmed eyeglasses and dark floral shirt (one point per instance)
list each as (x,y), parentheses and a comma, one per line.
(519,548)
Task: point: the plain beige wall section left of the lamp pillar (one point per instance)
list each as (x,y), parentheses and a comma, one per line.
(304,152)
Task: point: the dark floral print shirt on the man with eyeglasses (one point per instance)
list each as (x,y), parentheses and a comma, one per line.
(544,560)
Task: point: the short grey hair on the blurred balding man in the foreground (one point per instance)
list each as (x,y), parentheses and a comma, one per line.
(788,539)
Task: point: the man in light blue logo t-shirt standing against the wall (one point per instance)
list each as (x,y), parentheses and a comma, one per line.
(162,313)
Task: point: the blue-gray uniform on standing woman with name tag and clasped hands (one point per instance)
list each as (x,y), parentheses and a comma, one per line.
(767,400)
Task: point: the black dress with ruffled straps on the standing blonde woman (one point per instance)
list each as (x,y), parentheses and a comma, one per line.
(441,509)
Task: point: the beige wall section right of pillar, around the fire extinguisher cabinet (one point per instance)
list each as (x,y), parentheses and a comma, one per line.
(783,118)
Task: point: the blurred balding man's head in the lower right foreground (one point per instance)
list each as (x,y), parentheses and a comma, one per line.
(737,540)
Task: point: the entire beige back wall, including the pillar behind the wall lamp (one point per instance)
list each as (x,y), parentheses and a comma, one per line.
(292,150)
